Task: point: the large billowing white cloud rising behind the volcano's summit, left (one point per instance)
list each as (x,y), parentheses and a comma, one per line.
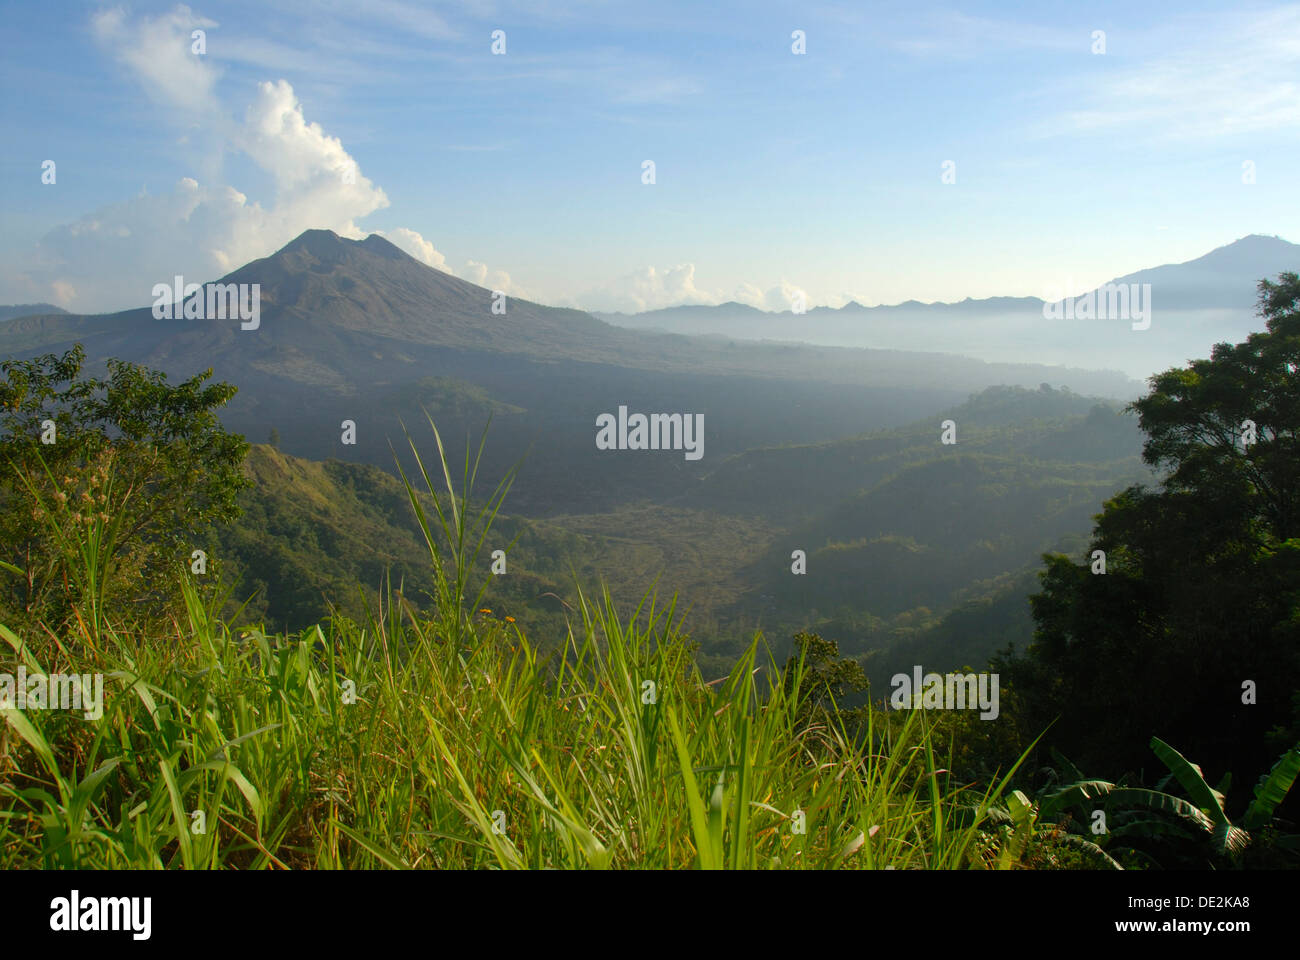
(110,260)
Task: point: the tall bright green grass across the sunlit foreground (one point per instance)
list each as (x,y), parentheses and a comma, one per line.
(449,741)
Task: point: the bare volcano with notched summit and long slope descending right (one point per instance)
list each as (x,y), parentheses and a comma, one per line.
(344,315)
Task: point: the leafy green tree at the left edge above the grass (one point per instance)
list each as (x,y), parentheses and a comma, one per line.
(141,464)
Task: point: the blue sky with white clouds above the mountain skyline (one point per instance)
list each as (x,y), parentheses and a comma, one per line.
(774,172)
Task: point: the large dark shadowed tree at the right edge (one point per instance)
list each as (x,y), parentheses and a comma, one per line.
(1191,634)
